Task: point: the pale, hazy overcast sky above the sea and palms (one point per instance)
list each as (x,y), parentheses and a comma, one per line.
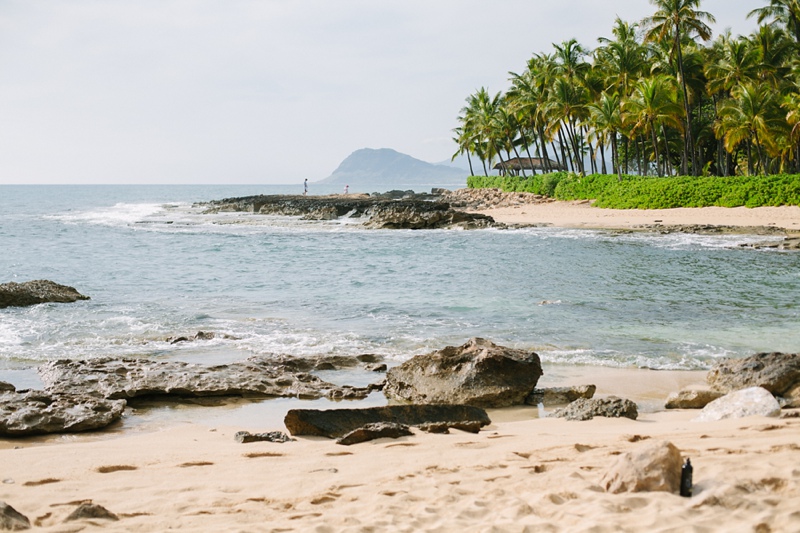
(264,91)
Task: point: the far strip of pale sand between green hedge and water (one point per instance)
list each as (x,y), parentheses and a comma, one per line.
(583,215)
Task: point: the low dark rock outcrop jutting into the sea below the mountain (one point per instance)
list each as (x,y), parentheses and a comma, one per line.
(411,211)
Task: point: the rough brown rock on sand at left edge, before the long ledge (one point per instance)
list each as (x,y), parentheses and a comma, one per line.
(38,413)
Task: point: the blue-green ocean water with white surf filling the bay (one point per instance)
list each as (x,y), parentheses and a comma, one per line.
(156,268)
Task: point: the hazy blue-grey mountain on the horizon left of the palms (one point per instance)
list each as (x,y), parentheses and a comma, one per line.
(384,169)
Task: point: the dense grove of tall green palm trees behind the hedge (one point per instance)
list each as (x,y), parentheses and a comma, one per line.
(659,97)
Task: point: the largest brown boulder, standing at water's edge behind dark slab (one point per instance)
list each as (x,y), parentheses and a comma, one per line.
(477,373)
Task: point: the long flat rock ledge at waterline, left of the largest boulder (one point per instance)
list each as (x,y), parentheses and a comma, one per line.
(130,378)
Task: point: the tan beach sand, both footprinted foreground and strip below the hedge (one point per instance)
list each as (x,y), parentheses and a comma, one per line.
(521,473)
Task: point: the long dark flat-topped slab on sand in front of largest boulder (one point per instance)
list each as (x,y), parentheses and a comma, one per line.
(334,423)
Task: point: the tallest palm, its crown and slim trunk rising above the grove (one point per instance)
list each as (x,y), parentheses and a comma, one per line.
(674,20)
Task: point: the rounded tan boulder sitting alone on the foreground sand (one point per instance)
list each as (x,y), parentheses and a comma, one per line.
(652,467)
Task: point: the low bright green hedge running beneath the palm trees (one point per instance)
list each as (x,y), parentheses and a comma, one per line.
(643,192)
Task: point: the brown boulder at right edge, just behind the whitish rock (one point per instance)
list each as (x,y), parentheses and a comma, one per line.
(777,372)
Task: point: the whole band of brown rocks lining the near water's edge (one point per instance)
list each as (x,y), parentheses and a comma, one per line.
(83,395)
